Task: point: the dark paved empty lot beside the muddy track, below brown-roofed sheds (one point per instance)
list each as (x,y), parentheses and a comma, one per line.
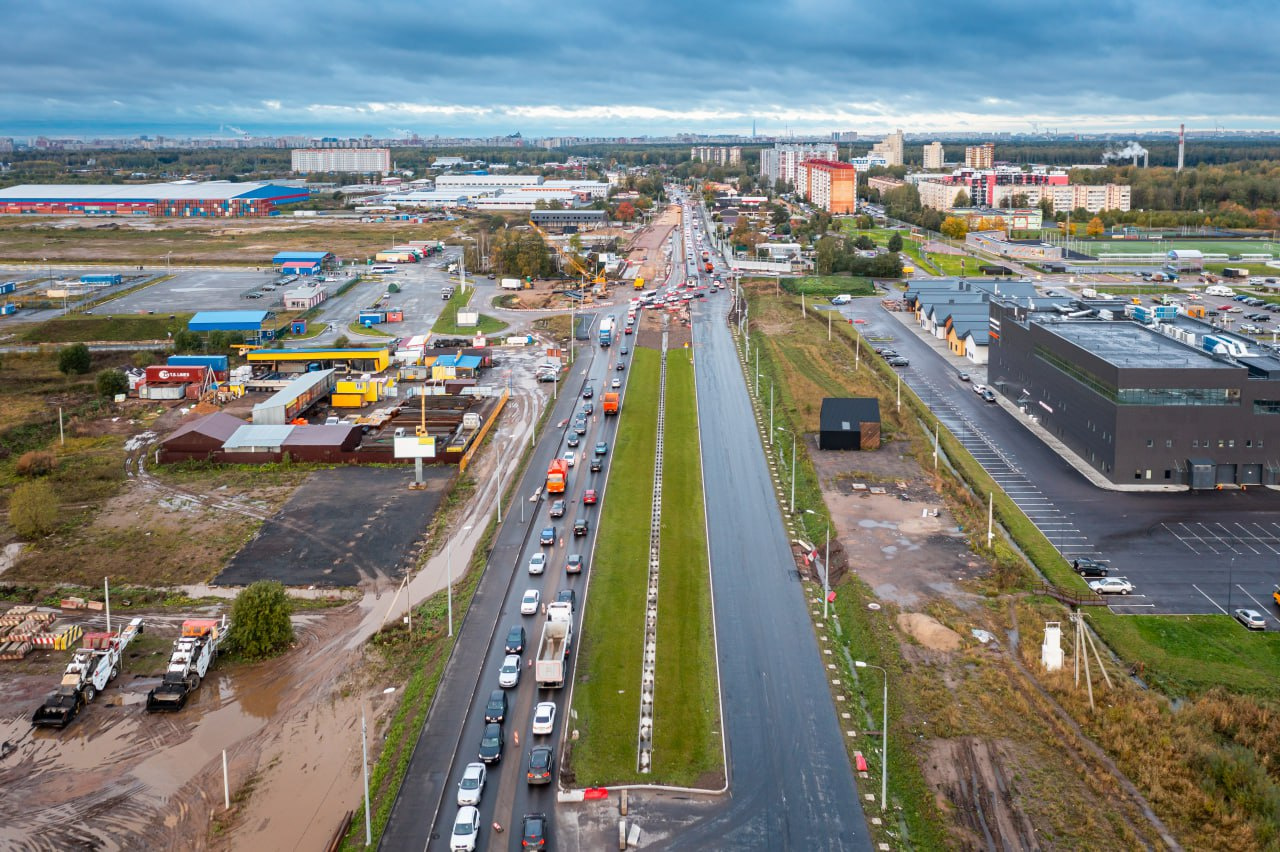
(317,540)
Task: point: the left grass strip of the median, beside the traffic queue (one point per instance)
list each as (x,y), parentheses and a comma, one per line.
(607,691)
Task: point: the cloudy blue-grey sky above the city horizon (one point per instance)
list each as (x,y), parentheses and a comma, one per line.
(495,67)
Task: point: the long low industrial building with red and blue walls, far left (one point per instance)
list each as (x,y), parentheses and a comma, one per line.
(213,199)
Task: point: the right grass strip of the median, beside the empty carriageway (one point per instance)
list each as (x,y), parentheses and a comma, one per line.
(687,712)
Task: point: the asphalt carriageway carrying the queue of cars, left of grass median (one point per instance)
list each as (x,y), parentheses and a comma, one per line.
(424,812)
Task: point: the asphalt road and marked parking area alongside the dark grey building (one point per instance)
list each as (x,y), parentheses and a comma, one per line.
(1203,552)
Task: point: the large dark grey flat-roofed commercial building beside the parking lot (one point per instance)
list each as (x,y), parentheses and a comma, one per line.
(1178,402)
